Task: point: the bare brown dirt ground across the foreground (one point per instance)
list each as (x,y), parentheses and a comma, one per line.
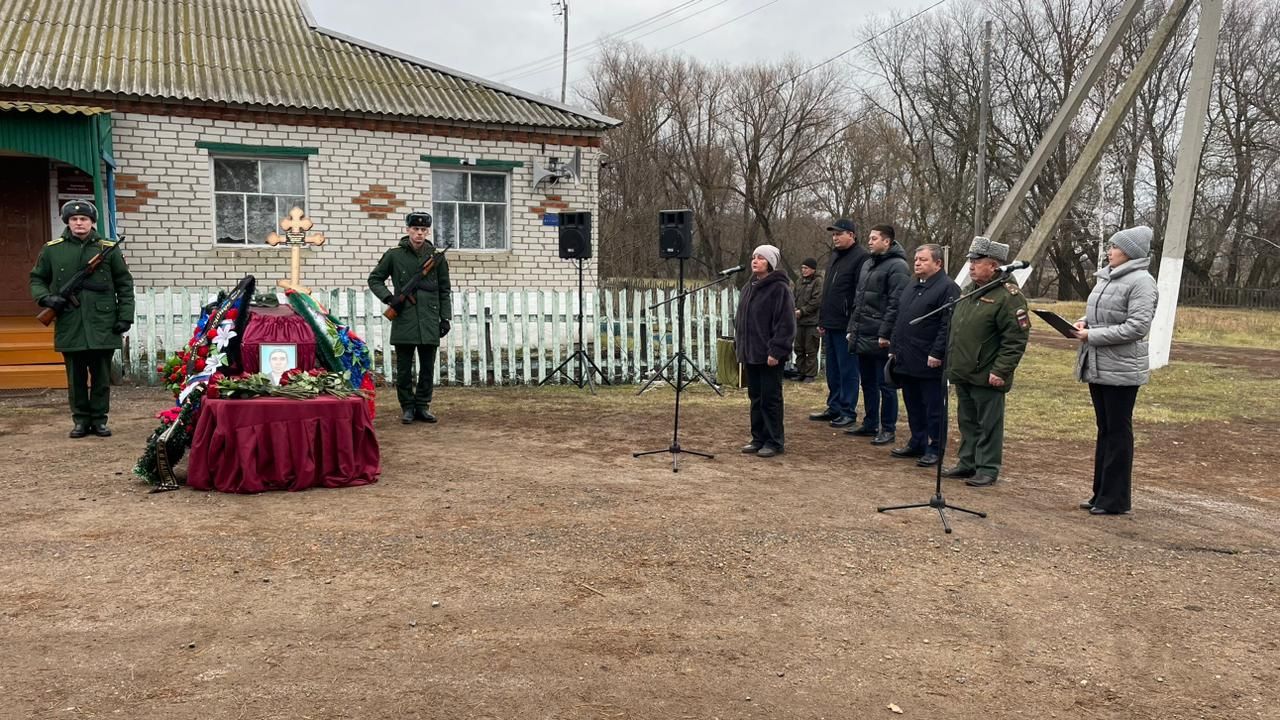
(516,562)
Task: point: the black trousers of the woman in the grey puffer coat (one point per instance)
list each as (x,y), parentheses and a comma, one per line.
(1113,454)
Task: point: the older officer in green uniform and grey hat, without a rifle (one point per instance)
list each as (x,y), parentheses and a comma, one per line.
(989,339)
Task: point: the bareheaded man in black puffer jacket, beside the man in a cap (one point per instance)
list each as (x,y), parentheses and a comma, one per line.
(871,327)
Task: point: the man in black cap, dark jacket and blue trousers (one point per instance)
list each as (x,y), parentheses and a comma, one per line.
(838,302)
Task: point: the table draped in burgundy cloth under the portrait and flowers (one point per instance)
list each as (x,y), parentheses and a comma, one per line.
(280,444)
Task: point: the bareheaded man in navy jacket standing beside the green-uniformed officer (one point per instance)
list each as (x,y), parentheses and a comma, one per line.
(920,353)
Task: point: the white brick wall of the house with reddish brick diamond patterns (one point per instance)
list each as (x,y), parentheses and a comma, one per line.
(360,185)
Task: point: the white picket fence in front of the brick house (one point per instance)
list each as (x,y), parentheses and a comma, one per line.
(499,338)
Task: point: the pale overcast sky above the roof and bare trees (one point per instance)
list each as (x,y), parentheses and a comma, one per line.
(492,39)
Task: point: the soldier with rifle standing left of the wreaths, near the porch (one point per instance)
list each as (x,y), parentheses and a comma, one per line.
(88,335)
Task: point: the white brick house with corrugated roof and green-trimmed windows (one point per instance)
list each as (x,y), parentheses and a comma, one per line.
(246,108)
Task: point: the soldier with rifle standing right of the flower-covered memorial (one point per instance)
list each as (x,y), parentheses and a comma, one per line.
(419,326)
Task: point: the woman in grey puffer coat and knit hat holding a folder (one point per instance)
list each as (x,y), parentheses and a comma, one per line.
(1114,362)
